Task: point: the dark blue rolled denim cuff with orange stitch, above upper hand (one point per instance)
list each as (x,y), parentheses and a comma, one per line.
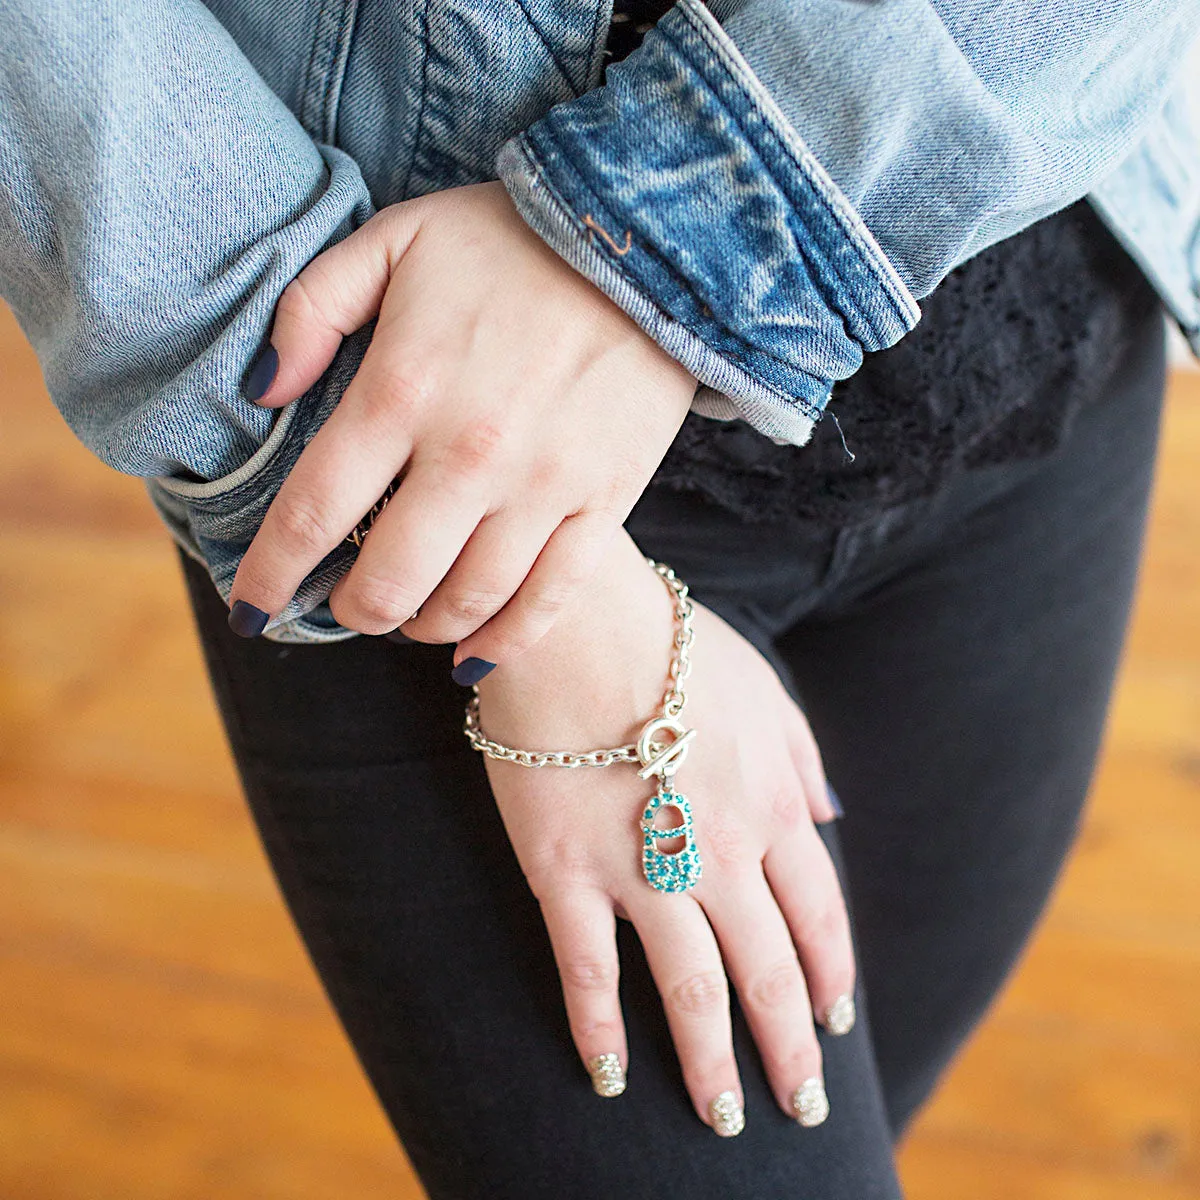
(683,193)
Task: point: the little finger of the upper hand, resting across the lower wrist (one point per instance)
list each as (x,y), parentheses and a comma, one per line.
(568,561)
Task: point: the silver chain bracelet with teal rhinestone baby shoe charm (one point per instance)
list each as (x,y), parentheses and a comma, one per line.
(668,872)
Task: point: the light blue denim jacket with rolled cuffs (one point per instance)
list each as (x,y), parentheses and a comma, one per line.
(769,188)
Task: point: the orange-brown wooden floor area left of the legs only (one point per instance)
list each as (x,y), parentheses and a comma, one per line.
(165,1035)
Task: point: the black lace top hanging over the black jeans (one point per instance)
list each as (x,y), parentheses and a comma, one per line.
(1009,347)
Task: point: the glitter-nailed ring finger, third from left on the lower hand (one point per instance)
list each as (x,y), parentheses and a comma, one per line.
(763,963)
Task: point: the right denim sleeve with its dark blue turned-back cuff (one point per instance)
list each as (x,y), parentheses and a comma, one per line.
(769,187)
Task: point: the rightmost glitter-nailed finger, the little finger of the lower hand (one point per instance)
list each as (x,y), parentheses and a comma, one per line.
(806,886)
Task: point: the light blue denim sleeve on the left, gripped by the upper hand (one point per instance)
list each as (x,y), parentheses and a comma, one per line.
(155,200)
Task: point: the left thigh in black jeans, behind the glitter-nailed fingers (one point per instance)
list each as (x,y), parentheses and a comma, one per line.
(379,823)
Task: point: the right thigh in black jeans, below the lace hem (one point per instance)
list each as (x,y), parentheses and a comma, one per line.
(957,676)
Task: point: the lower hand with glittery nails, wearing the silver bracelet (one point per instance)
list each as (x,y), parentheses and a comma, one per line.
(767,910)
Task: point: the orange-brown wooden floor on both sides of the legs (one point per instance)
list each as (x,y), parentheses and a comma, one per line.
(164,1036)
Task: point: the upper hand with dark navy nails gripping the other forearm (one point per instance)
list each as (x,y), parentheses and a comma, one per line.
(524,409)
